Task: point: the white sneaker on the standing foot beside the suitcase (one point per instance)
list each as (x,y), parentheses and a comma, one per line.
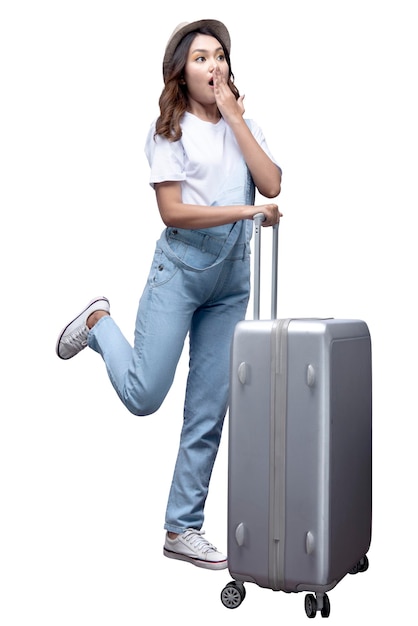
(190,546)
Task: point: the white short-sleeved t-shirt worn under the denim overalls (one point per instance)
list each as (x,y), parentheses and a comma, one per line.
(204,157)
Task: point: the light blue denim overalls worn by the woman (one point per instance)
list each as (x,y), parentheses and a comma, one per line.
(199,286)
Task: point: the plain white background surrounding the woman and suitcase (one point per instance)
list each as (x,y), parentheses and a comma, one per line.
(84,483)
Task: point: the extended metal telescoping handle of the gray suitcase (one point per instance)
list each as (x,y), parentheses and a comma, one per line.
(258,220)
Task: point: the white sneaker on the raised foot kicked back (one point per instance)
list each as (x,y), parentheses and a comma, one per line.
(73,338)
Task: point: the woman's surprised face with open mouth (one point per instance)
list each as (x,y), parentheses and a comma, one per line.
(205,53)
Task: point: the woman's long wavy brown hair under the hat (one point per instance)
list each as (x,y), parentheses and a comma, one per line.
(173,101)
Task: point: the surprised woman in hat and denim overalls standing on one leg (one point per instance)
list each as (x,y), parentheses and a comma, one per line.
(205,163)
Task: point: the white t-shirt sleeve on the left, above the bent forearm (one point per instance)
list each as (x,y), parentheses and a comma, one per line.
(165,158)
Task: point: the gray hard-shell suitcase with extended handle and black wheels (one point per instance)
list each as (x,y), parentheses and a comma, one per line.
(300,452)
